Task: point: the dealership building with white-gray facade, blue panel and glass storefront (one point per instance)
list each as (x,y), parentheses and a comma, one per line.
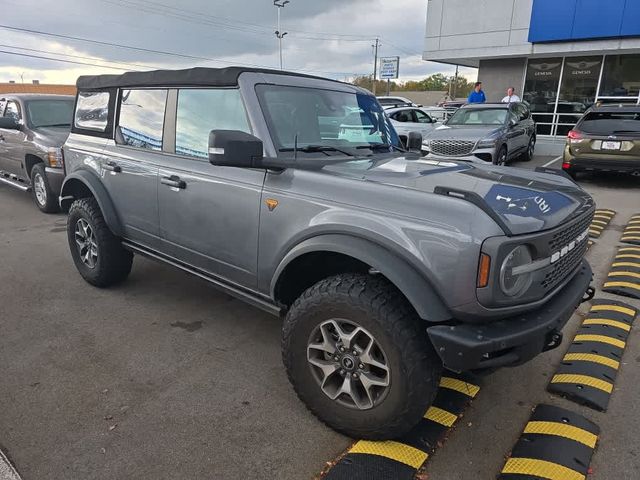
(562,56)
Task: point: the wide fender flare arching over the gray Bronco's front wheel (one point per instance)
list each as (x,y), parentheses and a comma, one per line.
(413,285)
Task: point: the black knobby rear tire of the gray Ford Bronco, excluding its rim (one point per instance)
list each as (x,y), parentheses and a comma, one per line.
(113,261)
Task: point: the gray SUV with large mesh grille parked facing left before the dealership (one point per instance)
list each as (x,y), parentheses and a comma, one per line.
(489,132)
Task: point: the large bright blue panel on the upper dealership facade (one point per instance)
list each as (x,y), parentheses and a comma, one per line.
(565,20)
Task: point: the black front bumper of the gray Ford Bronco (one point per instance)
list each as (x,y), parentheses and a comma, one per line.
(510,341)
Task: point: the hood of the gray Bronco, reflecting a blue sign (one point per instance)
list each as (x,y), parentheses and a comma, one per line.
(521,201)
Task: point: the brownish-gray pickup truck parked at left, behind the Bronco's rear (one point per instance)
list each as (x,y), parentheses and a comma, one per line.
(32,130)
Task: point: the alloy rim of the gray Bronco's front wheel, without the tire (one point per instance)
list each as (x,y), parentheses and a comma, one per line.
(348,364)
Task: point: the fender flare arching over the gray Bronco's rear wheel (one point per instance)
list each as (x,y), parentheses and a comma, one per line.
(90,181)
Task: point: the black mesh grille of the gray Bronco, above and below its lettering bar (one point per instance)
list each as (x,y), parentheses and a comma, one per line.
(572,259)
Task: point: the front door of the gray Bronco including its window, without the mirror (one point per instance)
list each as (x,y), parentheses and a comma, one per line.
(209,215)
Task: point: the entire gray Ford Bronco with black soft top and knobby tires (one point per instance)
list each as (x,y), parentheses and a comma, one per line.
(295,194)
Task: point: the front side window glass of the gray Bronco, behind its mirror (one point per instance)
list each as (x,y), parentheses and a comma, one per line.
(200,111)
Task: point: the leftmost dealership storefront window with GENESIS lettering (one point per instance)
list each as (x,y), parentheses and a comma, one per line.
(541,89)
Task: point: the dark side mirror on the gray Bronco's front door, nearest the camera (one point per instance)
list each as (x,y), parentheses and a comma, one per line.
(233,148)
